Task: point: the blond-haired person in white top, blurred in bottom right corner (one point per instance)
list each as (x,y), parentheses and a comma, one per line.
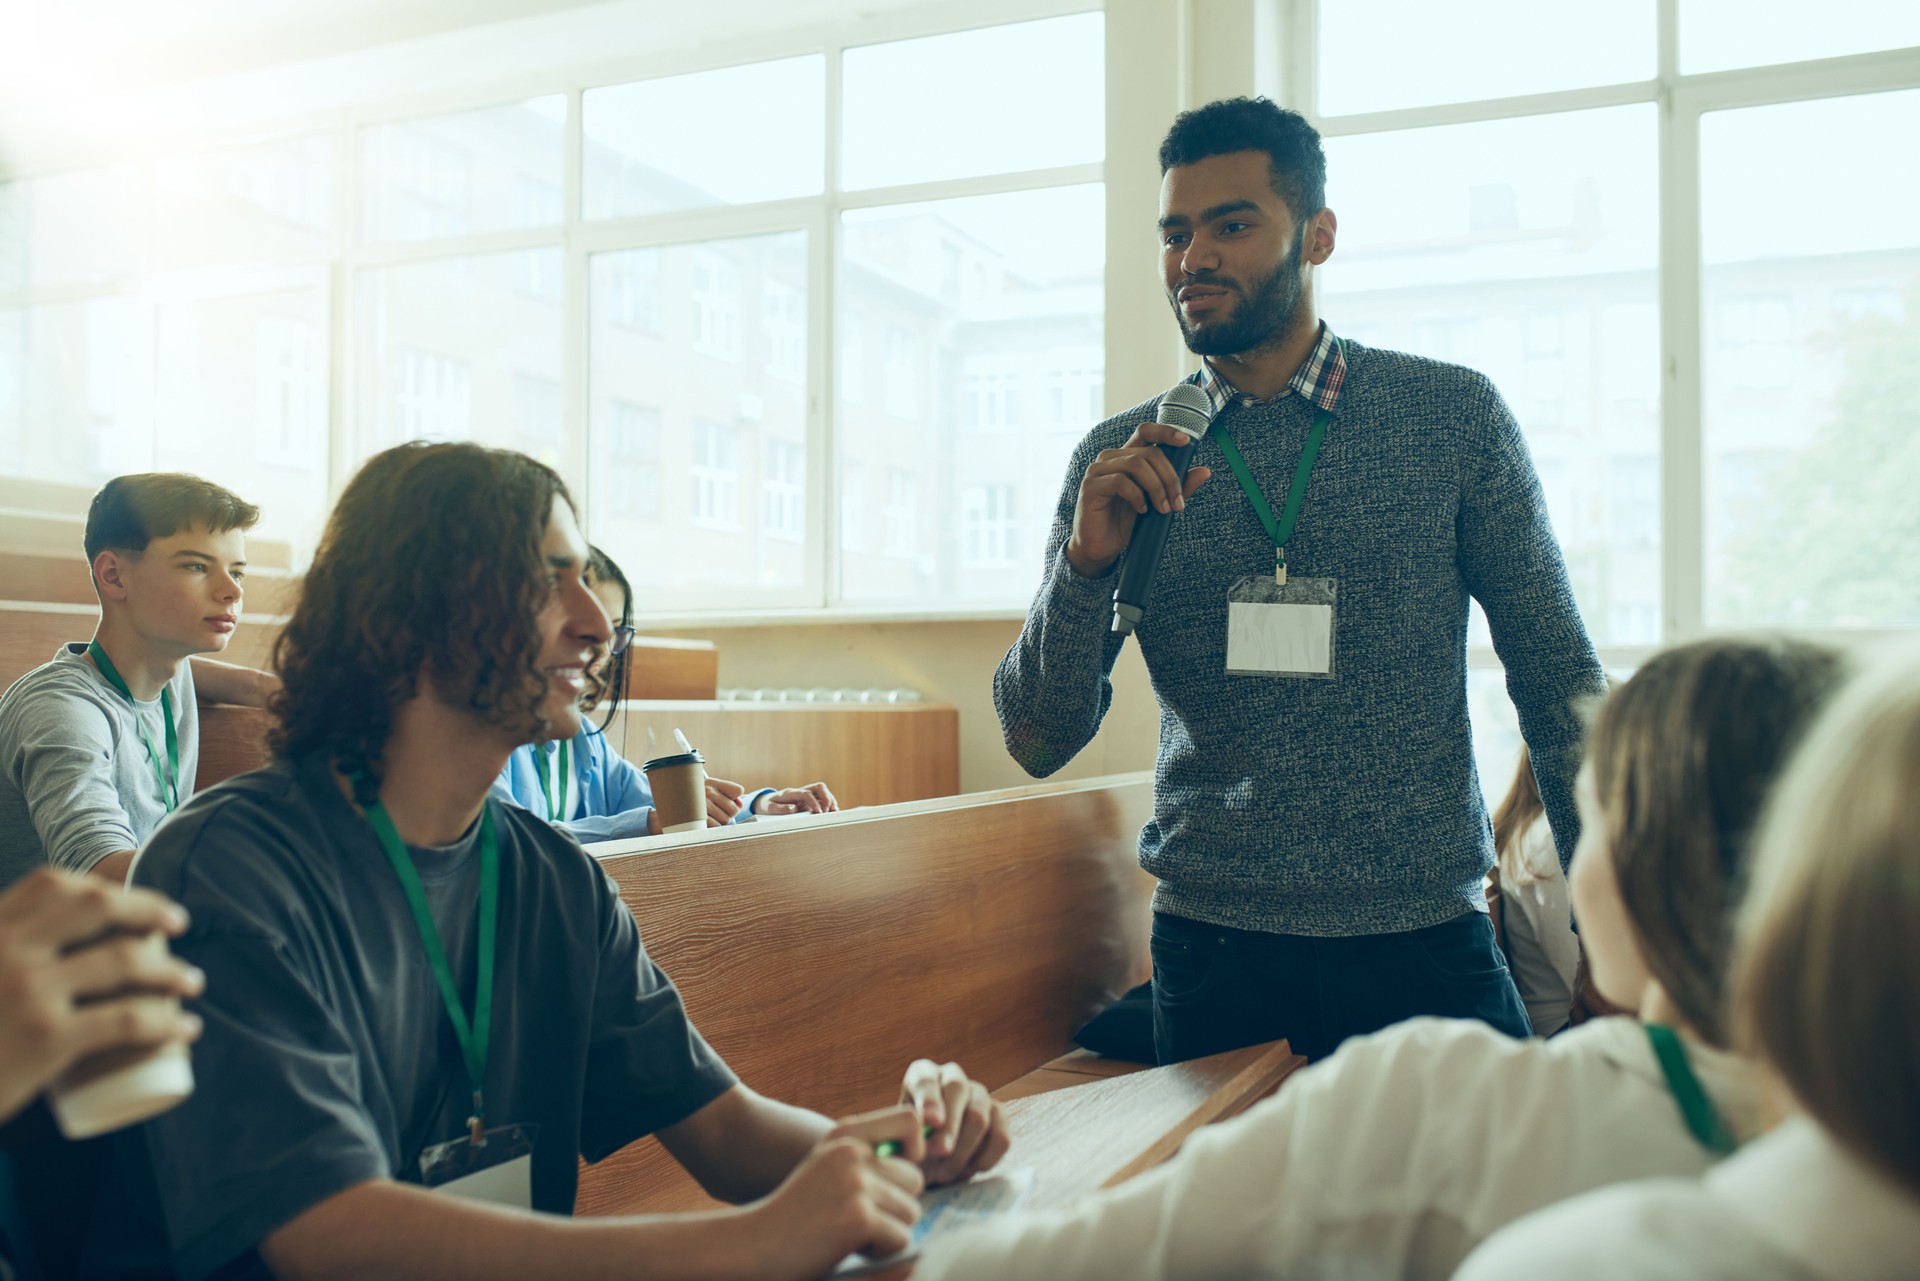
(1827,979)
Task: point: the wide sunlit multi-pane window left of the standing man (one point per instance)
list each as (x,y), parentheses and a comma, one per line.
(732,304)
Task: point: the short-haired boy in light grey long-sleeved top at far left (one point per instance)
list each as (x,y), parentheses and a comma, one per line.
(103,742)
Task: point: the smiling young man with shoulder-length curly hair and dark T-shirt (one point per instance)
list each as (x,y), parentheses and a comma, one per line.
(421,1000)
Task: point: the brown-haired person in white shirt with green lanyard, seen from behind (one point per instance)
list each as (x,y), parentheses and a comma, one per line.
(1404,1149)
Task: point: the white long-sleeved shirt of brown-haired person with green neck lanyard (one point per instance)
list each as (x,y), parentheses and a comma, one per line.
(1393,1159)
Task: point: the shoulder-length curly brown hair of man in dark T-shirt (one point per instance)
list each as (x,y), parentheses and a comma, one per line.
(433,556)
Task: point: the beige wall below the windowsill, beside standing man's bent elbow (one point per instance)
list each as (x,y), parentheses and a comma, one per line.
(948,664)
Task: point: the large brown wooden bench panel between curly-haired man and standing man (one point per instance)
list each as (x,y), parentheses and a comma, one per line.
(823,955)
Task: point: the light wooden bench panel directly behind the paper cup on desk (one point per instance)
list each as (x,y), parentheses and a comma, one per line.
(869,754)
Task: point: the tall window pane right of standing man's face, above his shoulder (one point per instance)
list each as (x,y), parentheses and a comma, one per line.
(1527,251)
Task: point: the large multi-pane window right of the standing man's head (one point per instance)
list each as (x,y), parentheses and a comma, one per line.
(1606,212)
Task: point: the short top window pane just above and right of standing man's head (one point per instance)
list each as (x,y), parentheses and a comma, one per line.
(1383,55)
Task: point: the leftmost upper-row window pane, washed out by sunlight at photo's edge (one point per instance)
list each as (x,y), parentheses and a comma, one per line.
(72,228)
